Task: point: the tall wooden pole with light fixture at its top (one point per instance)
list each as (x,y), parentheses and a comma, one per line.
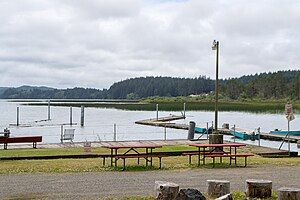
(215,46)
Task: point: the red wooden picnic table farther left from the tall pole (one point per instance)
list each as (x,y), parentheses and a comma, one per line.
(133,151)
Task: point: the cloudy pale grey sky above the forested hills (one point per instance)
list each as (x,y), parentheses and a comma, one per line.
(94,43)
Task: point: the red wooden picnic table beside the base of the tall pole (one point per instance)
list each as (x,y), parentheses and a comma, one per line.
(217,150)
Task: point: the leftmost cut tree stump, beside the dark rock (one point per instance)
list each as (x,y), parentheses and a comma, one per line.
(166,190)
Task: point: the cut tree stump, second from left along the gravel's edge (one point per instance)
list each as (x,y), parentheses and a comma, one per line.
(218,188)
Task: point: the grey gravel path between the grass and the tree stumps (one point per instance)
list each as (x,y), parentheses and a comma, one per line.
(104,184)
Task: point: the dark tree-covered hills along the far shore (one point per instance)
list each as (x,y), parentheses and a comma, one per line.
(276,85)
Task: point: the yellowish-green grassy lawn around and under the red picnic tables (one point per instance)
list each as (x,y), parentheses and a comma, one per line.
(95,164)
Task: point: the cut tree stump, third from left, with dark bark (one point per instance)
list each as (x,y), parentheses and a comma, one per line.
(258,188)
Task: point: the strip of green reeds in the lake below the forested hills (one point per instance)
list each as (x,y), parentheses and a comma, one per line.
(176,104)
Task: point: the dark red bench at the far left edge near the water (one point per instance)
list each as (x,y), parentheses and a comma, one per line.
(28,139)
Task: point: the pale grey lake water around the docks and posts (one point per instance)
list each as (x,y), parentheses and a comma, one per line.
(99,123)
